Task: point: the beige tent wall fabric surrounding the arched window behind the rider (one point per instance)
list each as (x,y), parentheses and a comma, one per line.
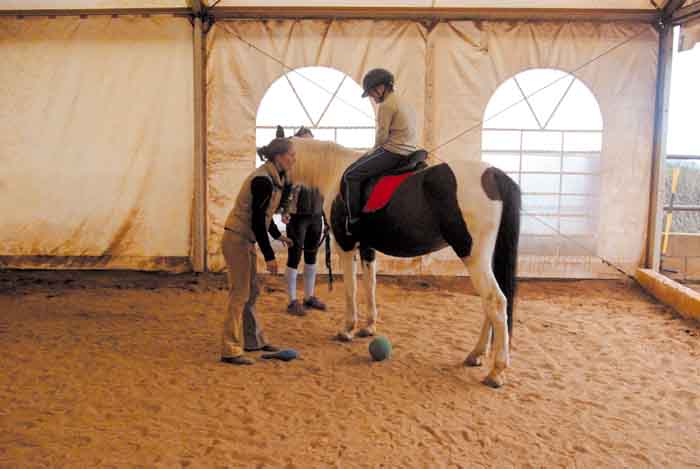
(239,76)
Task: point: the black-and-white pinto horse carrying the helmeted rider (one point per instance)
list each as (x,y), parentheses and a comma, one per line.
(470,206)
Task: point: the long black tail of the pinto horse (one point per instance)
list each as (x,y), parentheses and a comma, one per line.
(505,256)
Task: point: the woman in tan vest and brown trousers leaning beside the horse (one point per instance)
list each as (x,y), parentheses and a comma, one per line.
(249,222)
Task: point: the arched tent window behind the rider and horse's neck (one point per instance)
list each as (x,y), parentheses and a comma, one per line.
(321,98)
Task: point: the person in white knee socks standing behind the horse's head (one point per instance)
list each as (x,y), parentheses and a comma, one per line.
(305,228)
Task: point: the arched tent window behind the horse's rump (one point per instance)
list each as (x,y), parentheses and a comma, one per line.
(550,143)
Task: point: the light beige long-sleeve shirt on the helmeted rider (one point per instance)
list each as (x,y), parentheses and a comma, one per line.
(396,126)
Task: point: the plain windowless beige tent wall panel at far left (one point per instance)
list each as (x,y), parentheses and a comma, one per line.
(96,143)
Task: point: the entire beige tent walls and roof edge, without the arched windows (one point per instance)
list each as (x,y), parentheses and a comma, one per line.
(107,163)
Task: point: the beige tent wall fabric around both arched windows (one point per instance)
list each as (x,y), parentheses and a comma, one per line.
(463,62)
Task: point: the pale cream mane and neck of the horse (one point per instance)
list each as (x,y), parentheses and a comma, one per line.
(320,163)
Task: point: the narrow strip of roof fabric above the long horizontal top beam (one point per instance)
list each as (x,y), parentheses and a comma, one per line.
(568,4)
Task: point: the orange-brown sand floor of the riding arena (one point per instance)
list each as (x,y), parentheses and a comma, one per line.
(121,370)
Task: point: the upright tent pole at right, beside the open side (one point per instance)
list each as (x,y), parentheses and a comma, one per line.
(656,205)
